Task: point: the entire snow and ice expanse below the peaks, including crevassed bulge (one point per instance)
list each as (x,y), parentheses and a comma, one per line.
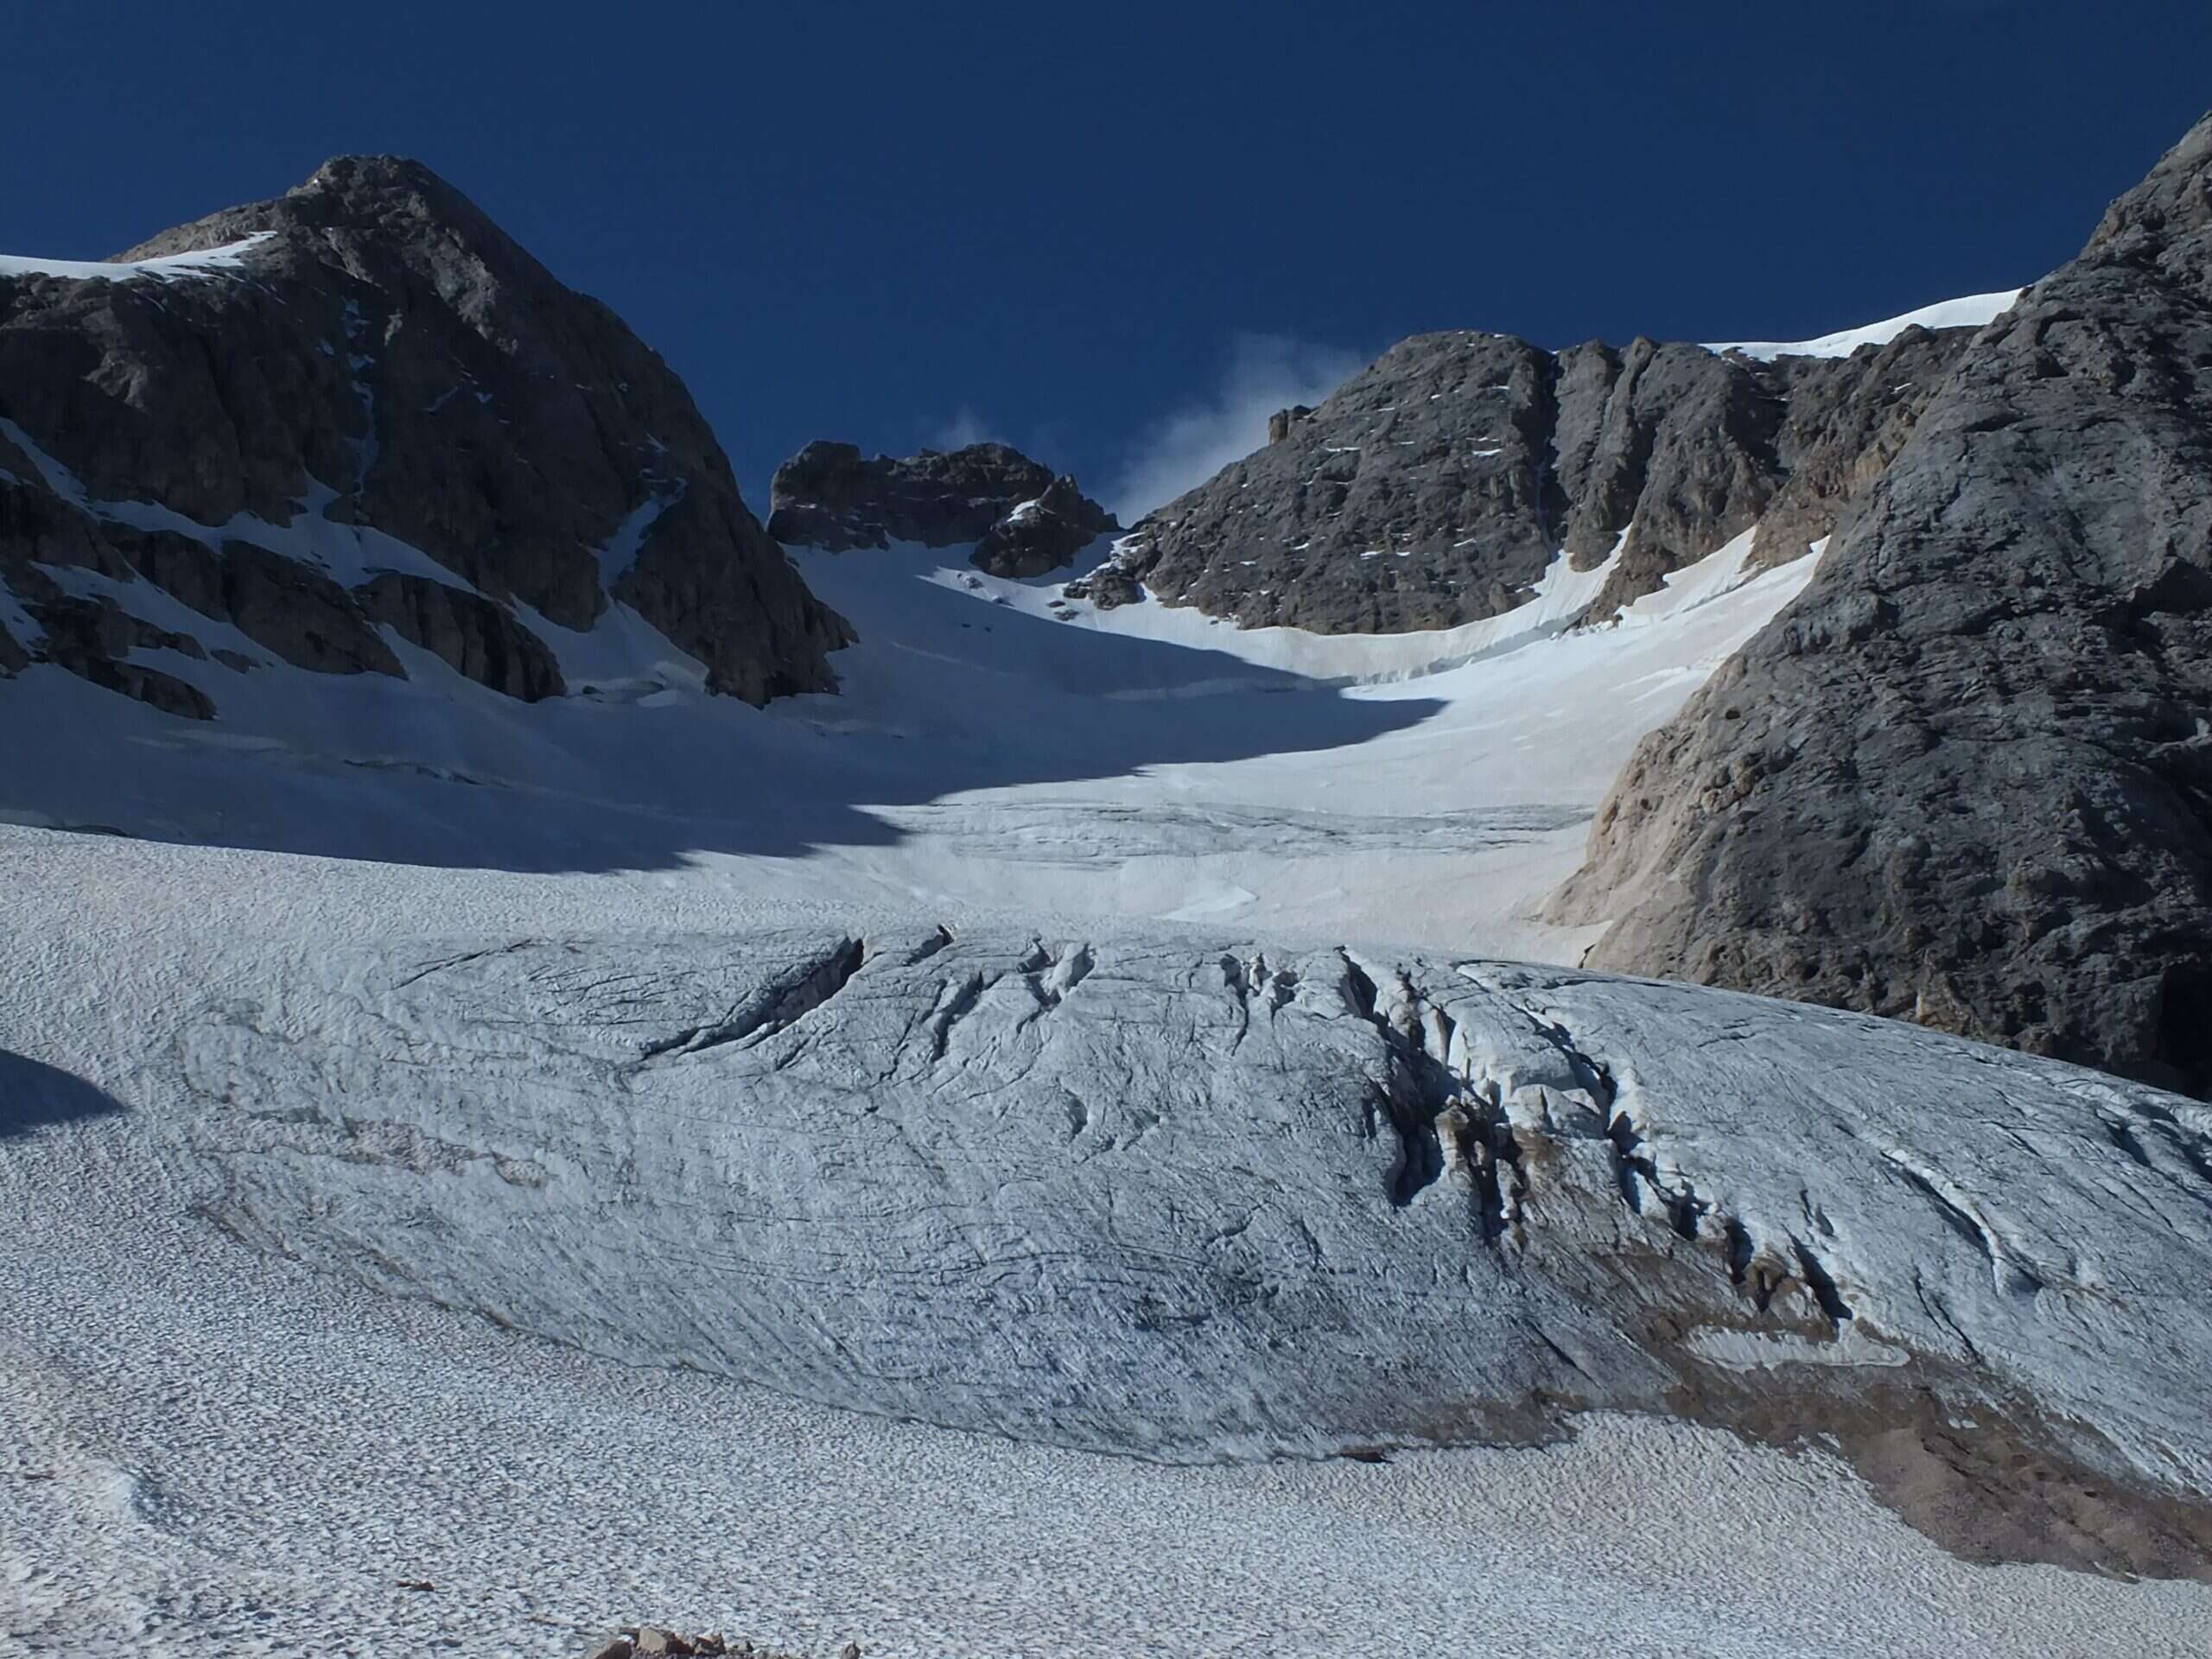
(1085,1036)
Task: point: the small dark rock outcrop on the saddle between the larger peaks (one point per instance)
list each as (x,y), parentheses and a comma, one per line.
(1023,519)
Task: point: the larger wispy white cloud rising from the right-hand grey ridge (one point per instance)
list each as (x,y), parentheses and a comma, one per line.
(1182,450)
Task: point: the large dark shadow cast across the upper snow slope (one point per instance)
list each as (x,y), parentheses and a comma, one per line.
(946,693)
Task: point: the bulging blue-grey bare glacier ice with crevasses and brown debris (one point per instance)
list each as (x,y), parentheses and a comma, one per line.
(1209,1202)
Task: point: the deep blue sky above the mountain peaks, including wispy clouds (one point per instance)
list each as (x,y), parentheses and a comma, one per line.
(1112,233)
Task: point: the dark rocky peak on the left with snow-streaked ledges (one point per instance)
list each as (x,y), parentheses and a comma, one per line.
(362,406)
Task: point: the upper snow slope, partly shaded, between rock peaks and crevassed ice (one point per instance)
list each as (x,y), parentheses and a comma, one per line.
(992,744)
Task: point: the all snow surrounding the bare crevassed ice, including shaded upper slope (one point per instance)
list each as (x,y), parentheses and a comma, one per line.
(211,1450)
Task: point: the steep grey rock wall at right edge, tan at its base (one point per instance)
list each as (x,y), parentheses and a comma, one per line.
(1968,778)
